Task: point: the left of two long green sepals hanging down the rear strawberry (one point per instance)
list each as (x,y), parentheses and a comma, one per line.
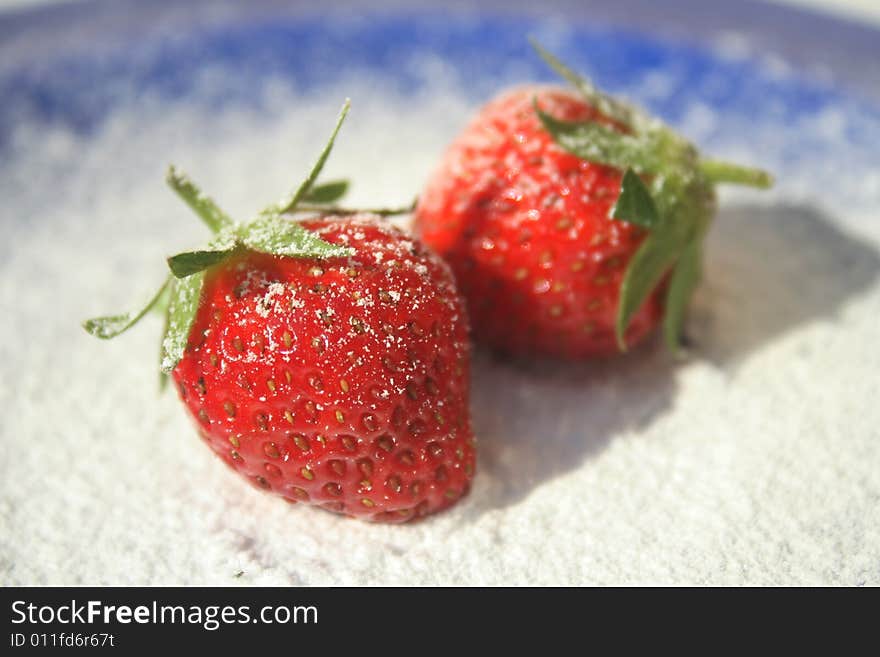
(653,259)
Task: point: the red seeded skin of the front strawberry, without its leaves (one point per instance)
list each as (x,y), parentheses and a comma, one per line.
(342,383)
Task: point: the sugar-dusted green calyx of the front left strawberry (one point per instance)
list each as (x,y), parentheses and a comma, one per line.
(269,232)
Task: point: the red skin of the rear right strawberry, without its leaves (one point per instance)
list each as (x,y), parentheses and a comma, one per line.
(525,227)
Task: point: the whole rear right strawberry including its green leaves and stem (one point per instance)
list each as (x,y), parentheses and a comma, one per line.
(574,223)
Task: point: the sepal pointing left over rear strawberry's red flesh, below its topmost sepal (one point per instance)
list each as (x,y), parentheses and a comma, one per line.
(598,143)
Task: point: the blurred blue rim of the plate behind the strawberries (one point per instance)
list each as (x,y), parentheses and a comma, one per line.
(73,64)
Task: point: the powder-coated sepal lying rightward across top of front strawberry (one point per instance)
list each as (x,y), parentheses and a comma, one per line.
(269,233)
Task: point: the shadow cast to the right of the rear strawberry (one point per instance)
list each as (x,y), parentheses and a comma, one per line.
(769,270)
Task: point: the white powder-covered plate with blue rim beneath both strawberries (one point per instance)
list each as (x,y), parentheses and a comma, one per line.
(754,461)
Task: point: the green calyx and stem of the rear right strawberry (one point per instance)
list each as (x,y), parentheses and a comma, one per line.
(667,189)
